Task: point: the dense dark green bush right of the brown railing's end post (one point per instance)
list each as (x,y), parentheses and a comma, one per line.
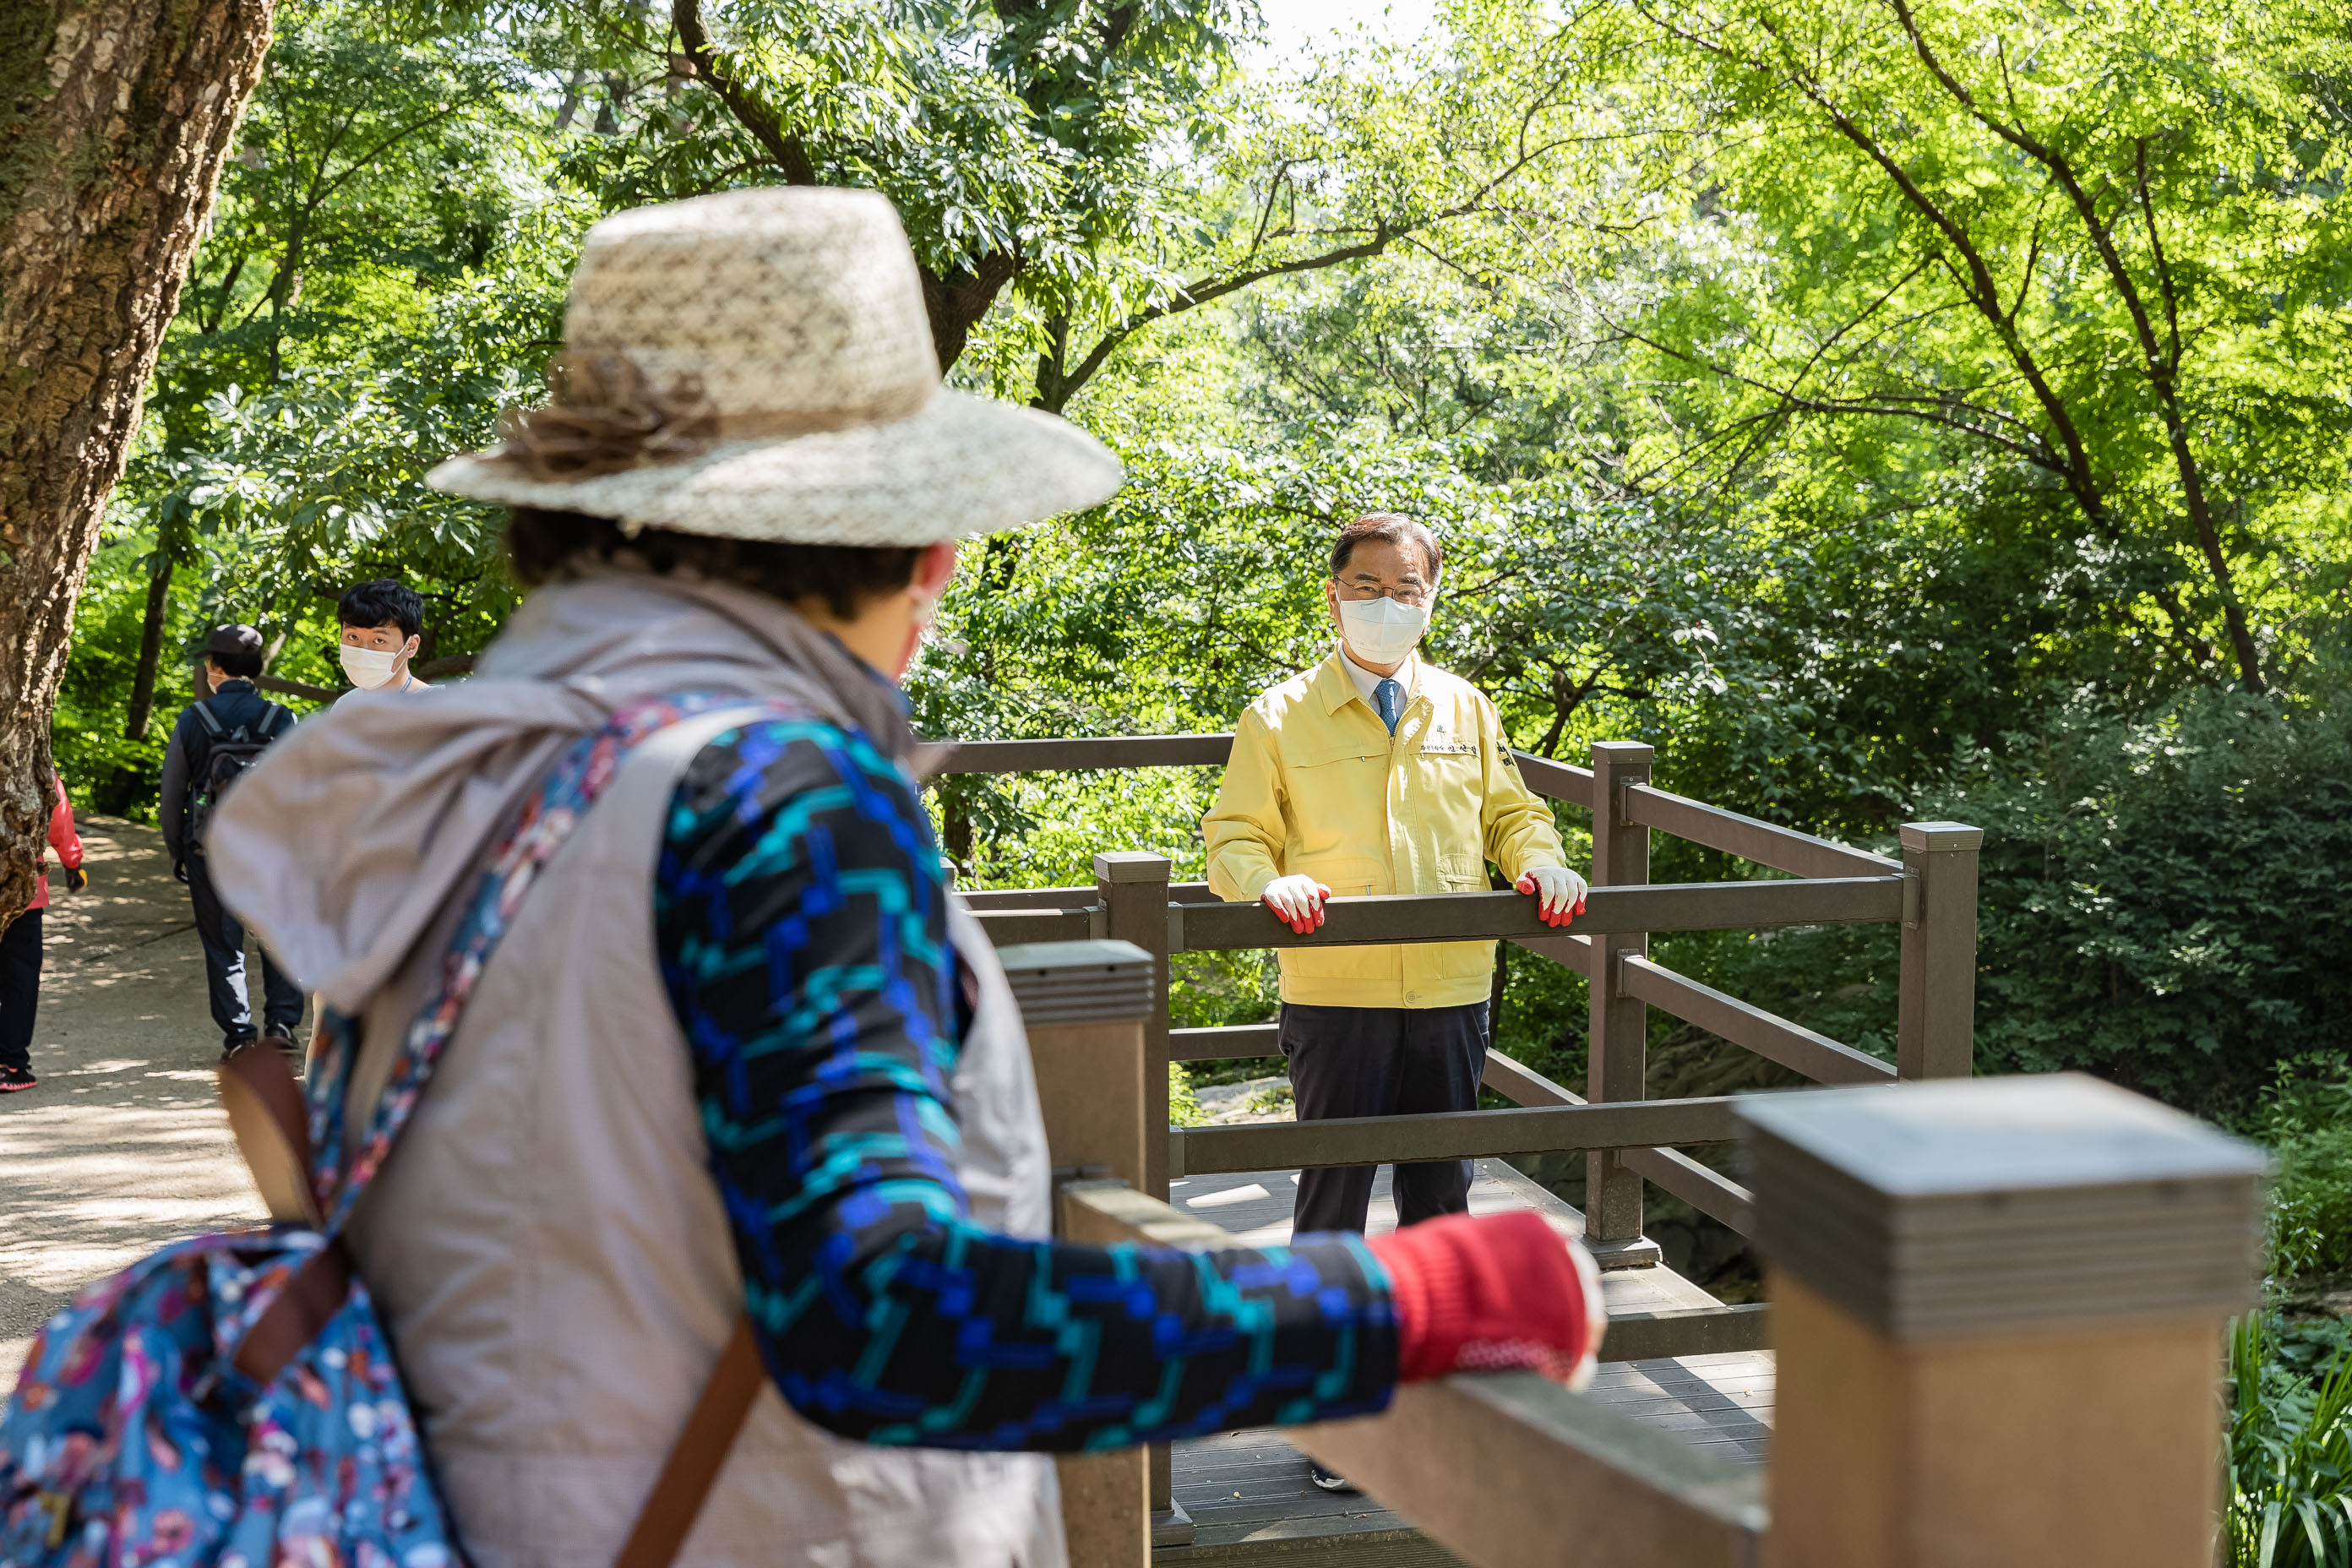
(2163,897)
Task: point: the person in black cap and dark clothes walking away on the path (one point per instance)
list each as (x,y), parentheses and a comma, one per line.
(213,744)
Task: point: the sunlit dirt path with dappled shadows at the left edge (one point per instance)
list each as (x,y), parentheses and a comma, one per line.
(123,1146)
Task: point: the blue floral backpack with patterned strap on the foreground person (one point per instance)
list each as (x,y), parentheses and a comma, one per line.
(234,1400)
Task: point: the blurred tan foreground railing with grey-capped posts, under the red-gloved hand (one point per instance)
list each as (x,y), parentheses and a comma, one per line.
(2003,1341)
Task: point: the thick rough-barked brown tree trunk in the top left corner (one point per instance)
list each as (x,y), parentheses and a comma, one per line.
(114,123)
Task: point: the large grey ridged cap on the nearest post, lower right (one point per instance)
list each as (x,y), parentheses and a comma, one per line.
(1996,1207)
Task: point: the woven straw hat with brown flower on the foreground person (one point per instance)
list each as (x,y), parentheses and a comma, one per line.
(759,366)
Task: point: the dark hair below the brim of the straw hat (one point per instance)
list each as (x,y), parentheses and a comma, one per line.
(544,544)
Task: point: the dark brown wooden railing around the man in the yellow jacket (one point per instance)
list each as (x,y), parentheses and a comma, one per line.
(1629,1139)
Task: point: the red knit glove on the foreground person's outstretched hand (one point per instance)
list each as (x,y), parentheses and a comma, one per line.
(1495,1294)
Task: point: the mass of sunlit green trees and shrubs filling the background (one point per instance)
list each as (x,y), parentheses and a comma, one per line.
(1669,321)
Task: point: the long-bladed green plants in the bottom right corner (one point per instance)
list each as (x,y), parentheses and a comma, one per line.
(2290,1454)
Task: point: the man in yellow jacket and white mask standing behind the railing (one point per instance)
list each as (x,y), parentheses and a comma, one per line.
(1379,775)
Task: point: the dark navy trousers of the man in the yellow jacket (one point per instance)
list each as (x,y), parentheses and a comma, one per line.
(1382,1061)
